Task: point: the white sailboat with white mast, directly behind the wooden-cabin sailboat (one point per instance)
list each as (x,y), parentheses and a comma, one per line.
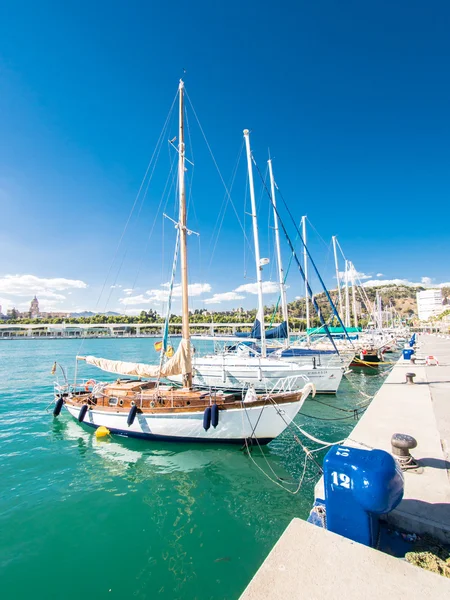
(257,366)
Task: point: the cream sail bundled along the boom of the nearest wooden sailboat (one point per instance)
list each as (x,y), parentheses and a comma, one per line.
(179,364)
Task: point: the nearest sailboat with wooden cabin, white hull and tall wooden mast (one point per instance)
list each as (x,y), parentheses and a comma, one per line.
(145,407)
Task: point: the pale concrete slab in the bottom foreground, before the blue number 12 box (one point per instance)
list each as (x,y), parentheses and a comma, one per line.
(311,563)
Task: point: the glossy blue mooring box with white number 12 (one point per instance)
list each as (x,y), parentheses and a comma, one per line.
(359,486)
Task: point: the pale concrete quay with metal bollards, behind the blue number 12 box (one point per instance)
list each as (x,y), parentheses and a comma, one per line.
(423,411)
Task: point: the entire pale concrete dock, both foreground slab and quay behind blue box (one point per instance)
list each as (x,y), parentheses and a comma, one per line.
(310,562)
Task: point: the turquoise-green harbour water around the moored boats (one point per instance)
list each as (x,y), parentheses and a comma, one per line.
(122,518)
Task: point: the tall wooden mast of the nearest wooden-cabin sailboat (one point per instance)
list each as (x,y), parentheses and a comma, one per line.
(187,379)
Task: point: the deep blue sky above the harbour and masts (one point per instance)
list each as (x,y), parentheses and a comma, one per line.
(351,98)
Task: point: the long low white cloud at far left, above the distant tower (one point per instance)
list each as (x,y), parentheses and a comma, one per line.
(29,285)
